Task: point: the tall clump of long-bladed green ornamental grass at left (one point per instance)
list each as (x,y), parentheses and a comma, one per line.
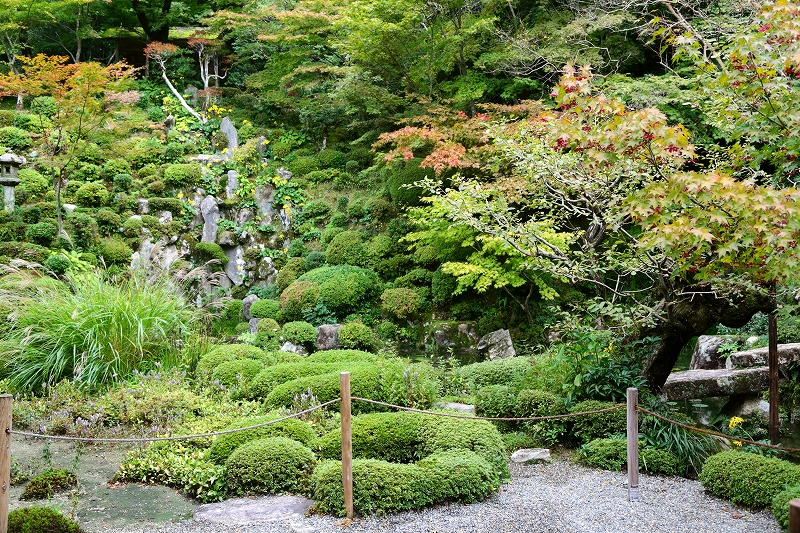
(93,331)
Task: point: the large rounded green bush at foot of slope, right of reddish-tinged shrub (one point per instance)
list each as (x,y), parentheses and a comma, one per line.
(344,289)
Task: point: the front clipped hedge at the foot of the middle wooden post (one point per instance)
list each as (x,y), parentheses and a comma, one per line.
(378,487)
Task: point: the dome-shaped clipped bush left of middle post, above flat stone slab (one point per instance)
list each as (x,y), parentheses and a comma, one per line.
(269,466)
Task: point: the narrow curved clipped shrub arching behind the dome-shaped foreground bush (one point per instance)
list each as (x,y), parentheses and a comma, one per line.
(292,428)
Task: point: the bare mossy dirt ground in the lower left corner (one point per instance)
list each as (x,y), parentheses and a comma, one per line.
(96,504)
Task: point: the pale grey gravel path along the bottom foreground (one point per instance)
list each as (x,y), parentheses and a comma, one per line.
(560,497)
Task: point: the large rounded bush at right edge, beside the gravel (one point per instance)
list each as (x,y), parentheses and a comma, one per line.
(747,479)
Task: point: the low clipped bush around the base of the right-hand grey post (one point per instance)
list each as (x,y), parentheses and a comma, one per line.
(612,454)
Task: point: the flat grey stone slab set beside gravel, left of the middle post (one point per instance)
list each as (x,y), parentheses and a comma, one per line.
(249,510)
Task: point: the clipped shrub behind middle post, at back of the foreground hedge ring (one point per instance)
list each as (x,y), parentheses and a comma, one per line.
(395,437)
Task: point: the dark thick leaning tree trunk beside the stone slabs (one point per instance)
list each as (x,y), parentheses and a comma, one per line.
(691,317)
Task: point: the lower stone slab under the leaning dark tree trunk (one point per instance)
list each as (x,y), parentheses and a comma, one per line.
(690,384)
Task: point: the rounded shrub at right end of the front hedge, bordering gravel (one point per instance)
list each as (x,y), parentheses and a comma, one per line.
(460,475)
